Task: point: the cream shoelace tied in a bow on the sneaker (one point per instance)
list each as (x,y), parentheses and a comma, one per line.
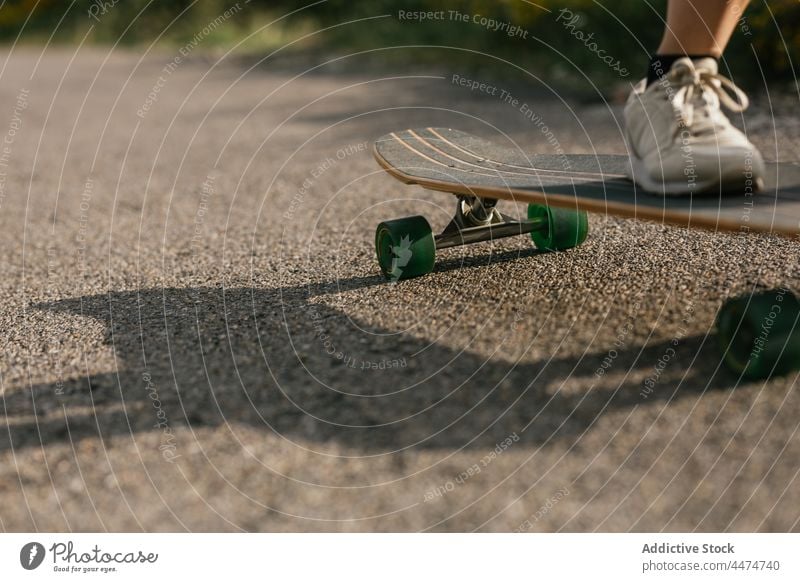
(693,82)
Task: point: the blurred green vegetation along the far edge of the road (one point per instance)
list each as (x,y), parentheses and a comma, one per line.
(766,43)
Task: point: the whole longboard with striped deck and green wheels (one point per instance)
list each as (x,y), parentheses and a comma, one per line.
(559,191)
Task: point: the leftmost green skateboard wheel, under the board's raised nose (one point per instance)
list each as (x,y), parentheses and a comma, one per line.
(405,247)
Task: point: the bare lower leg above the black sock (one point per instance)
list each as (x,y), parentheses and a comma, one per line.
(700,27)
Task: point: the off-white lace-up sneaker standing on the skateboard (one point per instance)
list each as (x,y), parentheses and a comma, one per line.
(680,142)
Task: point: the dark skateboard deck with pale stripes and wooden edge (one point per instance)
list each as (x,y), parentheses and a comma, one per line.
(453,161)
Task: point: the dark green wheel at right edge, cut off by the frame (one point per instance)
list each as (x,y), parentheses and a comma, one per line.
(760,334)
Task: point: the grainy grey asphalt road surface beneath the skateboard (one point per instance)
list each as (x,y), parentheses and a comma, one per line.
(195,335)
